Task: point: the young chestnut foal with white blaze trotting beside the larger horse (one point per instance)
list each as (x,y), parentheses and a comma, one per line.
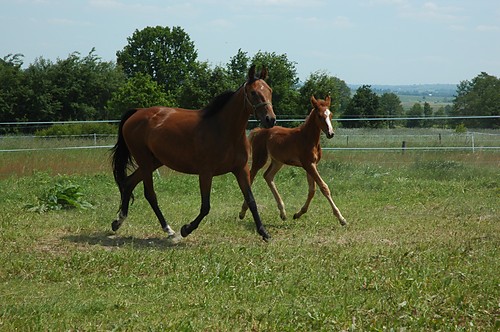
(296,147)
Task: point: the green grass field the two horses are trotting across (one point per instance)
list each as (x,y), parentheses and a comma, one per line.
(420,252)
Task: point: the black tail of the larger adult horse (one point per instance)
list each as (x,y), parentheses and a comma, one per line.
(121,158)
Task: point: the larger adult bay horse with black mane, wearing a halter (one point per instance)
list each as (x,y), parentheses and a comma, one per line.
(207,142)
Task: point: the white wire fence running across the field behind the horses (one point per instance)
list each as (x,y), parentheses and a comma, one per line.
(360,139)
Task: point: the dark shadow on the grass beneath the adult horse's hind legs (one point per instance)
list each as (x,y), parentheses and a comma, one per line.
(111,240)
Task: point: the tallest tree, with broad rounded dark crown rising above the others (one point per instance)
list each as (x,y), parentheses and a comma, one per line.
(167,55)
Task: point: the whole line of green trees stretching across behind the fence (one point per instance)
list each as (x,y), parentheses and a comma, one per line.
(160,66)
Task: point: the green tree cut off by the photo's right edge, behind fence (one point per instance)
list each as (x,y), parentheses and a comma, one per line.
(480,96)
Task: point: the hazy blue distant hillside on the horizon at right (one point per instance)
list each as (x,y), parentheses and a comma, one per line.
(427,90)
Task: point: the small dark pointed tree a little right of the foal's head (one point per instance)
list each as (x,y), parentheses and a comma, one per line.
(364,104)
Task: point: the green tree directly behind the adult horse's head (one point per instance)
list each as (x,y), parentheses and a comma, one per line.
(282,79)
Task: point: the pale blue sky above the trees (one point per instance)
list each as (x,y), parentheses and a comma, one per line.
(359,41)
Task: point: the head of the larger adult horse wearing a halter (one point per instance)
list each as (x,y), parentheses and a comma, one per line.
(258,96)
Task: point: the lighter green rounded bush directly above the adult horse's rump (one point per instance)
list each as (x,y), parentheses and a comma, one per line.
(138,91)
